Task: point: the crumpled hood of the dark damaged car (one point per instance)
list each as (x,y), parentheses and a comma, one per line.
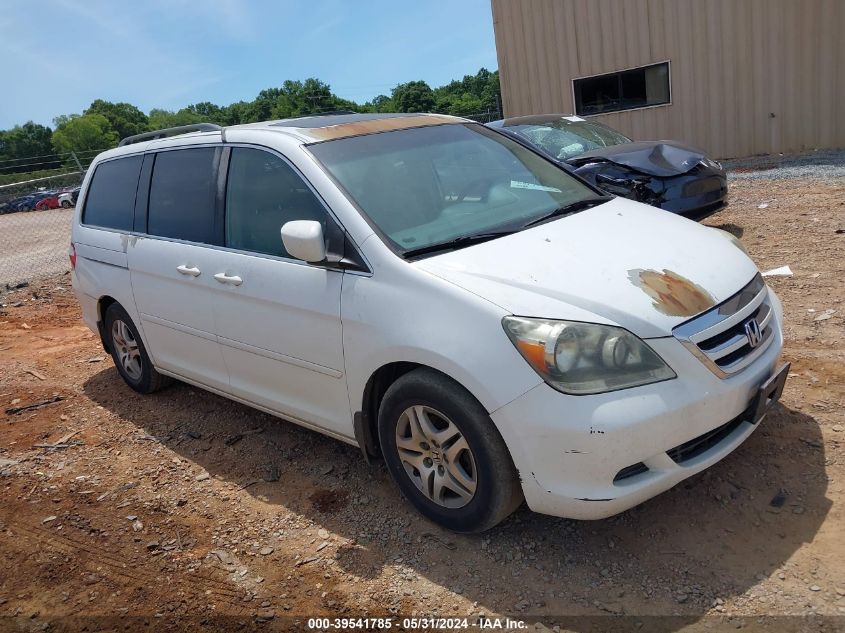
(655,158)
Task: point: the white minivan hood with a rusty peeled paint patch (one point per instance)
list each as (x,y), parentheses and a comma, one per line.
(621,263)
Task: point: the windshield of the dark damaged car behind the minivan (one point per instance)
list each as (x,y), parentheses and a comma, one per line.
(564,139)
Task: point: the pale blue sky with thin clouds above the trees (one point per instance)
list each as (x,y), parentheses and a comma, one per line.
(57,56)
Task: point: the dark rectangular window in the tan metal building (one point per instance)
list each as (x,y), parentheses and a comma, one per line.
(624,90)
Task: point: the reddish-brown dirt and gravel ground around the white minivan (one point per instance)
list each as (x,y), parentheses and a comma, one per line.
(185,510)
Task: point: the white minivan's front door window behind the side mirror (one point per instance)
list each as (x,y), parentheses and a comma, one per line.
(262,194)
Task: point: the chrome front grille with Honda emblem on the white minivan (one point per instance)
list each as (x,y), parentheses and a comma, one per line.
(724,338)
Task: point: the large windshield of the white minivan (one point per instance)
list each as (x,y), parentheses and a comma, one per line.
(437,184)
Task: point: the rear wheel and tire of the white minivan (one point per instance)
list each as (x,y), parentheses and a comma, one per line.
(129,354)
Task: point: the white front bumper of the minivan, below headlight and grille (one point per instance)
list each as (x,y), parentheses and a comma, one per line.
(570,450)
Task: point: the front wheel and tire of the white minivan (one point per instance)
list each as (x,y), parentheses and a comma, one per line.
(445,454)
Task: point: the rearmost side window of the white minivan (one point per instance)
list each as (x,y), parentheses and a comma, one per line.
(110,201)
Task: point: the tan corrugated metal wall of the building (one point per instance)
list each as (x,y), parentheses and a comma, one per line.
(748,76)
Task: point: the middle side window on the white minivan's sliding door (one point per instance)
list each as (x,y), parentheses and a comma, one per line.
(181,204)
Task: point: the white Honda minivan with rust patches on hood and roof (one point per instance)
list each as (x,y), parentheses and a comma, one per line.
(439,295)
